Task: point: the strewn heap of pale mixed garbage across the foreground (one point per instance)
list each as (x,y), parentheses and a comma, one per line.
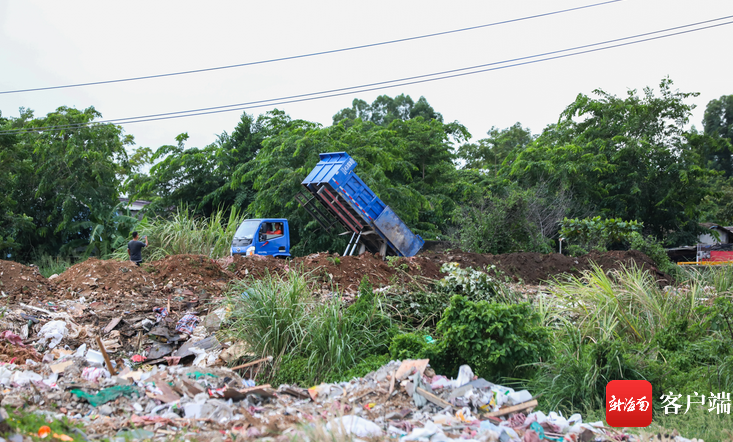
(404,400)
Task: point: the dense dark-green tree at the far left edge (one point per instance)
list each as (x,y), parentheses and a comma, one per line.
(63,176)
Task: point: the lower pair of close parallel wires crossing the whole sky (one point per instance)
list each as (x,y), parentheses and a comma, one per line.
(371,87)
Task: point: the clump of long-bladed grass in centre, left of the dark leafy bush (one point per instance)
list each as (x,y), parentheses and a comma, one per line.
(282,317)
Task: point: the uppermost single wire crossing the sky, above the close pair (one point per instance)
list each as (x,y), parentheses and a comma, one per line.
(313,54)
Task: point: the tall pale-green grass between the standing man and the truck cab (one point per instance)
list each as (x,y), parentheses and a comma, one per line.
(187,233)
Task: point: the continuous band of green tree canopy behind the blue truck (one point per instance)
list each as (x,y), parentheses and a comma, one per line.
(630,158)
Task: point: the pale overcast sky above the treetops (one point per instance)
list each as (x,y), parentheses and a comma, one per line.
(45,43)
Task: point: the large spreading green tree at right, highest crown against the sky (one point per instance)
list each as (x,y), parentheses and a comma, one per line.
(627,158)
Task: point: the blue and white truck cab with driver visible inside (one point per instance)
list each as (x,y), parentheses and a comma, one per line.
(262,236)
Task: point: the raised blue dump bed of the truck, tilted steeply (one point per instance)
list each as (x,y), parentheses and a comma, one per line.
(346,197)
